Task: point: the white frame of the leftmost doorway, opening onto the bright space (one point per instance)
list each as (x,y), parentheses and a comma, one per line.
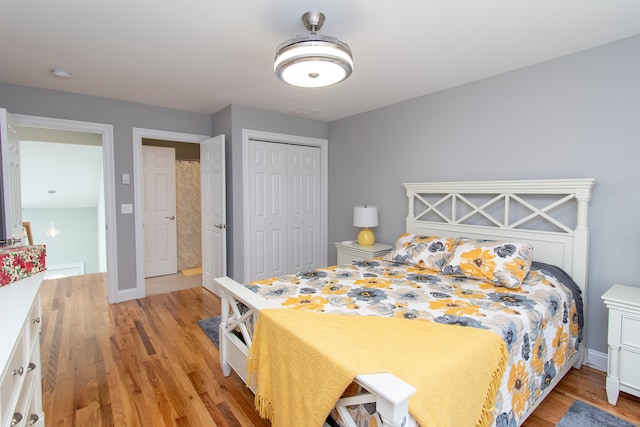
(106,132)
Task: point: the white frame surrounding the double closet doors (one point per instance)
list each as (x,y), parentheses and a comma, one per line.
(282,138)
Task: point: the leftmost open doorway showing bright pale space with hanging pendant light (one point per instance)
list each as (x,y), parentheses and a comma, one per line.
(65,210)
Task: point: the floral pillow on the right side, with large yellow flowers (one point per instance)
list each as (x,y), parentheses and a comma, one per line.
(500,262)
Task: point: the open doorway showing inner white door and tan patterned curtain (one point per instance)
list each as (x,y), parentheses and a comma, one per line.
(175,222)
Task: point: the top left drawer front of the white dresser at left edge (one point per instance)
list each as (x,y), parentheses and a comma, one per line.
(13,378)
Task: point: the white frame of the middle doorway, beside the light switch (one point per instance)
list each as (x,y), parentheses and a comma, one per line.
(138,135)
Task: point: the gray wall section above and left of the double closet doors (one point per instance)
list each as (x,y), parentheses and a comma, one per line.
(231,121)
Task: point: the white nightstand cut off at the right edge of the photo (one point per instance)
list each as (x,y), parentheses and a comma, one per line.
(623,374)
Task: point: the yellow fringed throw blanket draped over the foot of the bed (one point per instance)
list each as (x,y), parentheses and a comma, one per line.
(303,361)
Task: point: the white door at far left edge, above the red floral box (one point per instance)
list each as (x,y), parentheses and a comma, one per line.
(12,196)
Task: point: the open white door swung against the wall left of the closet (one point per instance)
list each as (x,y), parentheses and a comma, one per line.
(213,214)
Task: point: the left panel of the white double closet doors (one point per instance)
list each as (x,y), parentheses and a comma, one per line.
(267,209)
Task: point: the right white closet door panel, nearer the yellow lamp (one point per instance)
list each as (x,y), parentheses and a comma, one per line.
(303,181)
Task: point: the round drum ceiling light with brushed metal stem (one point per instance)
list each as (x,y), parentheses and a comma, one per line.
(313,60)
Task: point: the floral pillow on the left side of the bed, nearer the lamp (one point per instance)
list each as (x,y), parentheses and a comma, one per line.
(423,251)
